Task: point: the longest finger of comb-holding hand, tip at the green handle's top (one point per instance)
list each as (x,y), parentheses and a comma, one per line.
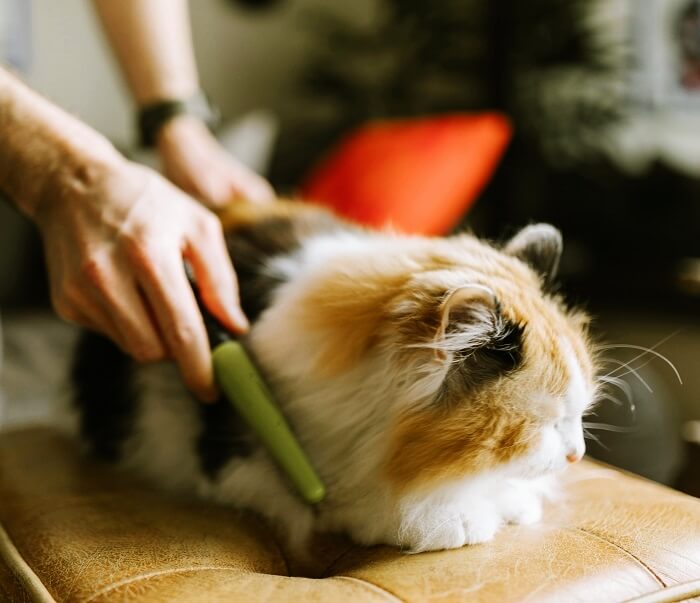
(162,277)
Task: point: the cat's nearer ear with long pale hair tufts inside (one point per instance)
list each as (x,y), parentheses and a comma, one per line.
(467,318)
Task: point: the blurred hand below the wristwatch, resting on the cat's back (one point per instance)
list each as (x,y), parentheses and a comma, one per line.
(195,161)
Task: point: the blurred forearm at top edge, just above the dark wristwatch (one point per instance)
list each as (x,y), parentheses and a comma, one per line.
(152,40)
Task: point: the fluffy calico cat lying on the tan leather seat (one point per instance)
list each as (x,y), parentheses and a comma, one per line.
(433,382)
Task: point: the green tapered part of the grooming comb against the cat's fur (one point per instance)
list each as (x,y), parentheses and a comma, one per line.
(243,386)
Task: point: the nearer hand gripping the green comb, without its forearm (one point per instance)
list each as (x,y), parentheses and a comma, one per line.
(115,237)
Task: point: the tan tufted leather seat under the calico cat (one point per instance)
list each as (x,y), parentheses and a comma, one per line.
(76,530)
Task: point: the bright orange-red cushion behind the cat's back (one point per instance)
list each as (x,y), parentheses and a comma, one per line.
(419,176)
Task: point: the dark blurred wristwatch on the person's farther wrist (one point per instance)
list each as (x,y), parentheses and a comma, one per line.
(153,116)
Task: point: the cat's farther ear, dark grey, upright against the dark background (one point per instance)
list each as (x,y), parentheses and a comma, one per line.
(540,247)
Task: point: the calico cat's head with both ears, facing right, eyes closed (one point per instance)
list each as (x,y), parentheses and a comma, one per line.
(512,371)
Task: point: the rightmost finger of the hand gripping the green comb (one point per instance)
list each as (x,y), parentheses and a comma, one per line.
(215,276)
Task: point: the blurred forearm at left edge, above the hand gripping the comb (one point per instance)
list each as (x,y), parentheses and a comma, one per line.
(43,149)
